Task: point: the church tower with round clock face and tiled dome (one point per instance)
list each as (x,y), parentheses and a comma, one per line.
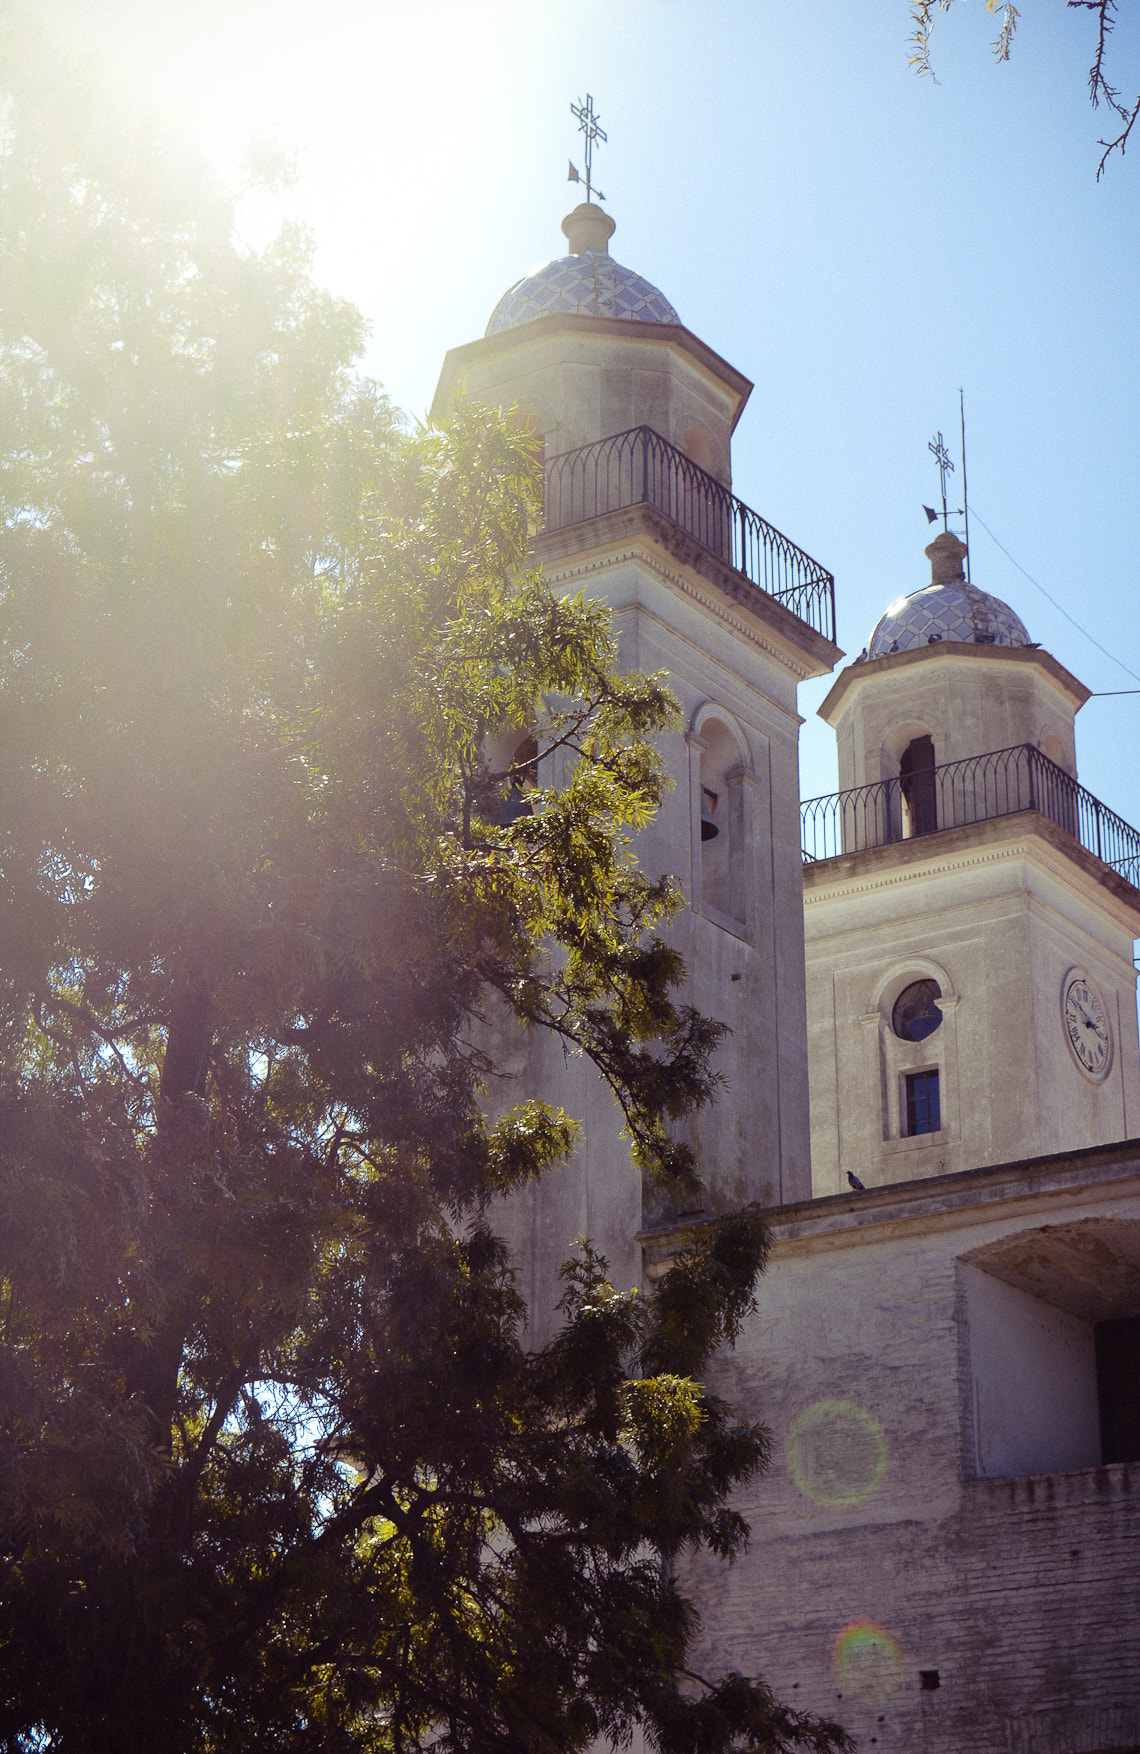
(969,908)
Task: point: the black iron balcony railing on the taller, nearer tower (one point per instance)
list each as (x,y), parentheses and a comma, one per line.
(643,469)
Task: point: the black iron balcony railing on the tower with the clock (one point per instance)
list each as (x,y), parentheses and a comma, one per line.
(969,792)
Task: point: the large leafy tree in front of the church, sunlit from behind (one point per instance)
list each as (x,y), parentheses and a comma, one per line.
(274,1464)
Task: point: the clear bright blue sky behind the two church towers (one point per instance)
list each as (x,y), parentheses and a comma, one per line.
(859,241)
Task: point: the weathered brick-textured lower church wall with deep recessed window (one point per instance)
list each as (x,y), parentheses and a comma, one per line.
(939,1558)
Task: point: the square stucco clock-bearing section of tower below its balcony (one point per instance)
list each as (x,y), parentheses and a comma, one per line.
(997,915)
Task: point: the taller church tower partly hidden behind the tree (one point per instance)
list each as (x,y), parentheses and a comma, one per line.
(636,415)
